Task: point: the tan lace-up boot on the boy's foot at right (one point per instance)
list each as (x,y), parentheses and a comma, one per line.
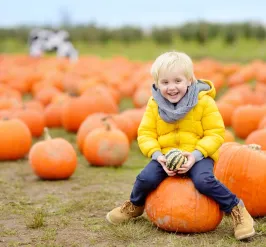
(243,222)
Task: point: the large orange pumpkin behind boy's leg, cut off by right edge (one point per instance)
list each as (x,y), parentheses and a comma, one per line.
(242,169)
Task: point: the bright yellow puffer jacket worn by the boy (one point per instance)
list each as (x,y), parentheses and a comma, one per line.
(202,128)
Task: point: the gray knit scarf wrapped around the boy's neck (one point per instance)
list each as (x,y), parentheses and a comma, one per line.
(170,112)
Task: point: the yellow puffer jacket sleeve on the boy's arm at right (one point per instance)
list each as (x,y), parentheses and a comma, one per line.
(213,128)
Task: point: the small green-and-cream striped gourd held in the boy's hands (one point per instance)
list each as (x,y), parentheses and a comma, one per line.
(175,159)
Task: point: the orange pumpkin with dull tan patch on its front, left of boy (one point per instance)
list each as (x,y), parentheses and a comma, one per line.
(106,147)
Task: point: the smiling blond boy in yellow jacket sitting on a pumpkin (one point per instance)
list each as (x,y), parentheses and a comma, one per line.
(182,114)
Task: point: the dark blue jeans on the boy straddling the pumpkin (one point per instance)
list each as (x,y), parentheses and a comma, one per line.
(201,174)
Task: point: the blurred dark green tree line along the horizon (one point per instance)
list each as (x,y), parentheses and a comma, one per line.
(201,32)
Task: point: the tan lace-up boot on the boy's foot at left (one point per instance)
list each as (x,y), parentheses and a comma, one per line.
(124,213)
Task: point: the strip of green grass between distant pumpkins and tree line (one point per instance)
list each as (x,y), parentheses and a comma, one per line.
(243,50)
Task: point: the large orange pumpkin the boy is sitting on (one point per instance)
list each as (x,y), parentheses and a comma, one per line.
(177,206)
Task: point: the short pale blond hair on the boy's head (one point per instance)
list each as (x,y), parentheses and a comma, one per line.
(170,60)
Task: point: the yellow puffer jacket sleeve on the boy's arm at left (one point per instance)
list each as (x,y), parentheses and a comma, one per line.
(147,131)
